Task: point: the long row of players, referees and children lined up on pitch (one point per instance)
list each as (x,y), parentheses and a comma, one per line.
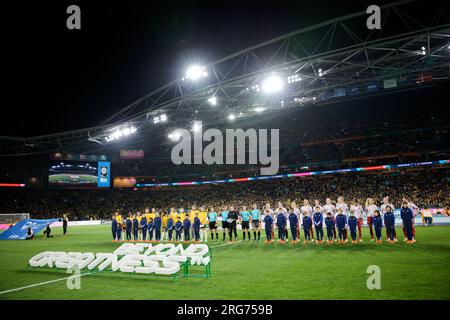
(187,226)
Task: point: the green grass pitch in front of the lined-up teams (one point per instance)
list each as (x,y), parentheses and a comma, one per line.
(246,270)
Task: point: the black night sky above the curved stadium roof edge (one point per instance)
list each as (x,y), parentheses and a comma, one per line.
(55,79)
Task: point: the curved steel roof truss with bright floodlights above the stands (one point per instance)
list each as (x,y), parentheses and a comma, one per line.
(336,59)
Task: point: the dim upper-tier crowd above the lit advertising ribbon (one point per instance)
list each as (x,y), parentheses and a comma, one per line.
(320,138)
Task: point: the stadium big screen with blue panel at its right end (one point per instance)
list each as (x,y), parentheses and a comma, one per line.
(77,174)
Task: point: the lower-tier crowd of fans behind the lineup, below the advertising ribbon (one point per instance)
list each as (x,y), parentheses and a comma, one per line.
(426,187)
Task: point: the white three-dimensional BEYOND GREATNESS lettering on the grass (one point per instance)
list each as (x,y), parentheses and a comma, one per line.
(165,259)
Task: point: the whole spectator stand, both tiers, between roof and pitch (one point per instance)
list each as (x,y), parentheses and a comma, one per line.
(322,137)
